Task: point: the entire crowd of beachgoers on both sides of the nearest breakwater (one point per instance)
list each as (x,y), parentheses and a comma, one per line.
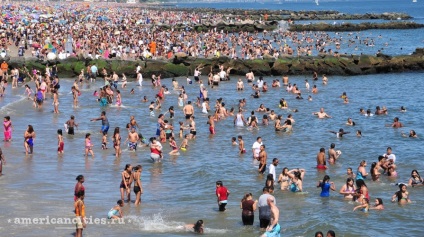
(134,39)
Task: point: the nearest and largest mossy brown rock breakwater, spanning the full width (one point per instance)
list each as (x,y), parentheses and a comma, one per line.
(184,66)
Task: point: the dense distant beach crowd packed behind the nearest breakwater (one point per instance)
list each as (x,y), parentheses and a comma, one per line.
(101,31)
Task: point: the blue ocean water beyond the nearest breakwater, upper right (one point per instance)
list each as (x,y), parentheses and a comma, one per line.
(390,42)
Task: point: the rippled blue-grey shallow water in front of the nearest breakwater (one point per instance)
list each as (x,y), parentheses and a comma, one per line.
(181,189)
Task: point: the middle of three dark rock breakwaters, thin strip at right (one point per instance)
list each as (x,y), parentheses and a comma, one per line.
(355,27)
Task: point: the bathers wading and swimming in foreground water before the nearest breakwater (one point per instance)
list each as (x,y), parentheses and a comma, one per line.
(354,189)
